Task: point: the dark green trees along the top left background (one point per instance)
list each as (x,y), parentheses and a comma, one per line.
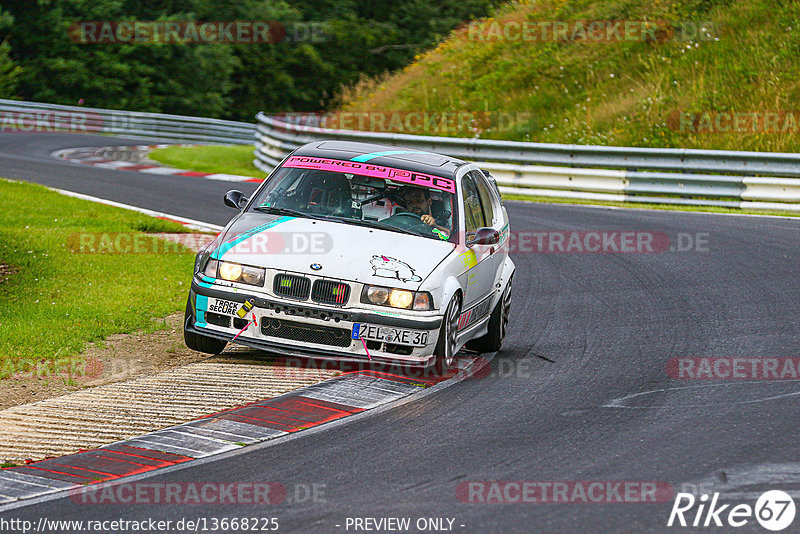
(364,37)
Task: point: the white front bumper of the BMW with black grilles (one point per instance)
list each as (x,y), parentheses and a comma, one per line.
(269,310)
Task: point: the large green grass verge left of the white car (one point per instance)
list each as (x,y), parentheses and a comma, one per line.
(53,301)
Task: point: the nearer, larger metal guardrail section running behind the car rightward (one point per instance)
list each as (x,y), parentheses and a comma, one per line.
(755,180)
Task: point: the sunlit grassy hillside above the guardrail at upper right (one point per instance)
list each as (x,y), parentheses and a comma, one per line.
(706,74)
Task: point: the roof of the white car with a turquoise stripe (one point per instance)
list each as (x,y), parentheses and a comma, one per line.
(383,155)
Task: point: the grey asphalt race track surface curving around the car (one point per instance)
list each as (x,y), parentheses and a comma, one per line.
(581,391)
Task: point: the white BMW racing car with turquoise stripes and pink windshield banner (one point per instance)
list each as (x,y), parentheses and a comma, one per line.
(354,251)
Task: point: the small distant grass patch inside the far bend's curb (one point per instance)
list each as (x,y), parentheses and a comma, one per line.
(237,159)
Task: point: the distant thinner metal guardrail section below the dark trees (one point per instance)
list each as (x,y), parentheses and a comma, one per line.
(38,117)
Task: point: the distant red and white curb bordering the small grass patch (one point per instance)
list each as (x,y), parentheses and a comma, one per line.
(134,158)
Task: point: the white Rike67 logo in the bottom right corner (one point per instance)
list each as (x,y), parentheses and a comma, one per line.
(774,510)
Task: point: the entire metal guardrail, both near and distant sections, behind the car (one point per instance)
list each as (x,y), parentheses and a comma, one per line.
(673,176)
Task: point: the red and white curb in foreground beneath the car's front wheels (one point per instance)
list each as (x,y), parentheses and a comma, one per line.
(230,430)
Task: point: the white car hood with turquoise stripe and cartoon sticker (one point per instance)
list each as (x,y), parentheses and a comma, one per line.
(331,249)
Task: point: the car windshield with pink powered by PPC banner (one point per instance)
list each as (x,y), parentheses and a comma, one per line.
(358,193)
